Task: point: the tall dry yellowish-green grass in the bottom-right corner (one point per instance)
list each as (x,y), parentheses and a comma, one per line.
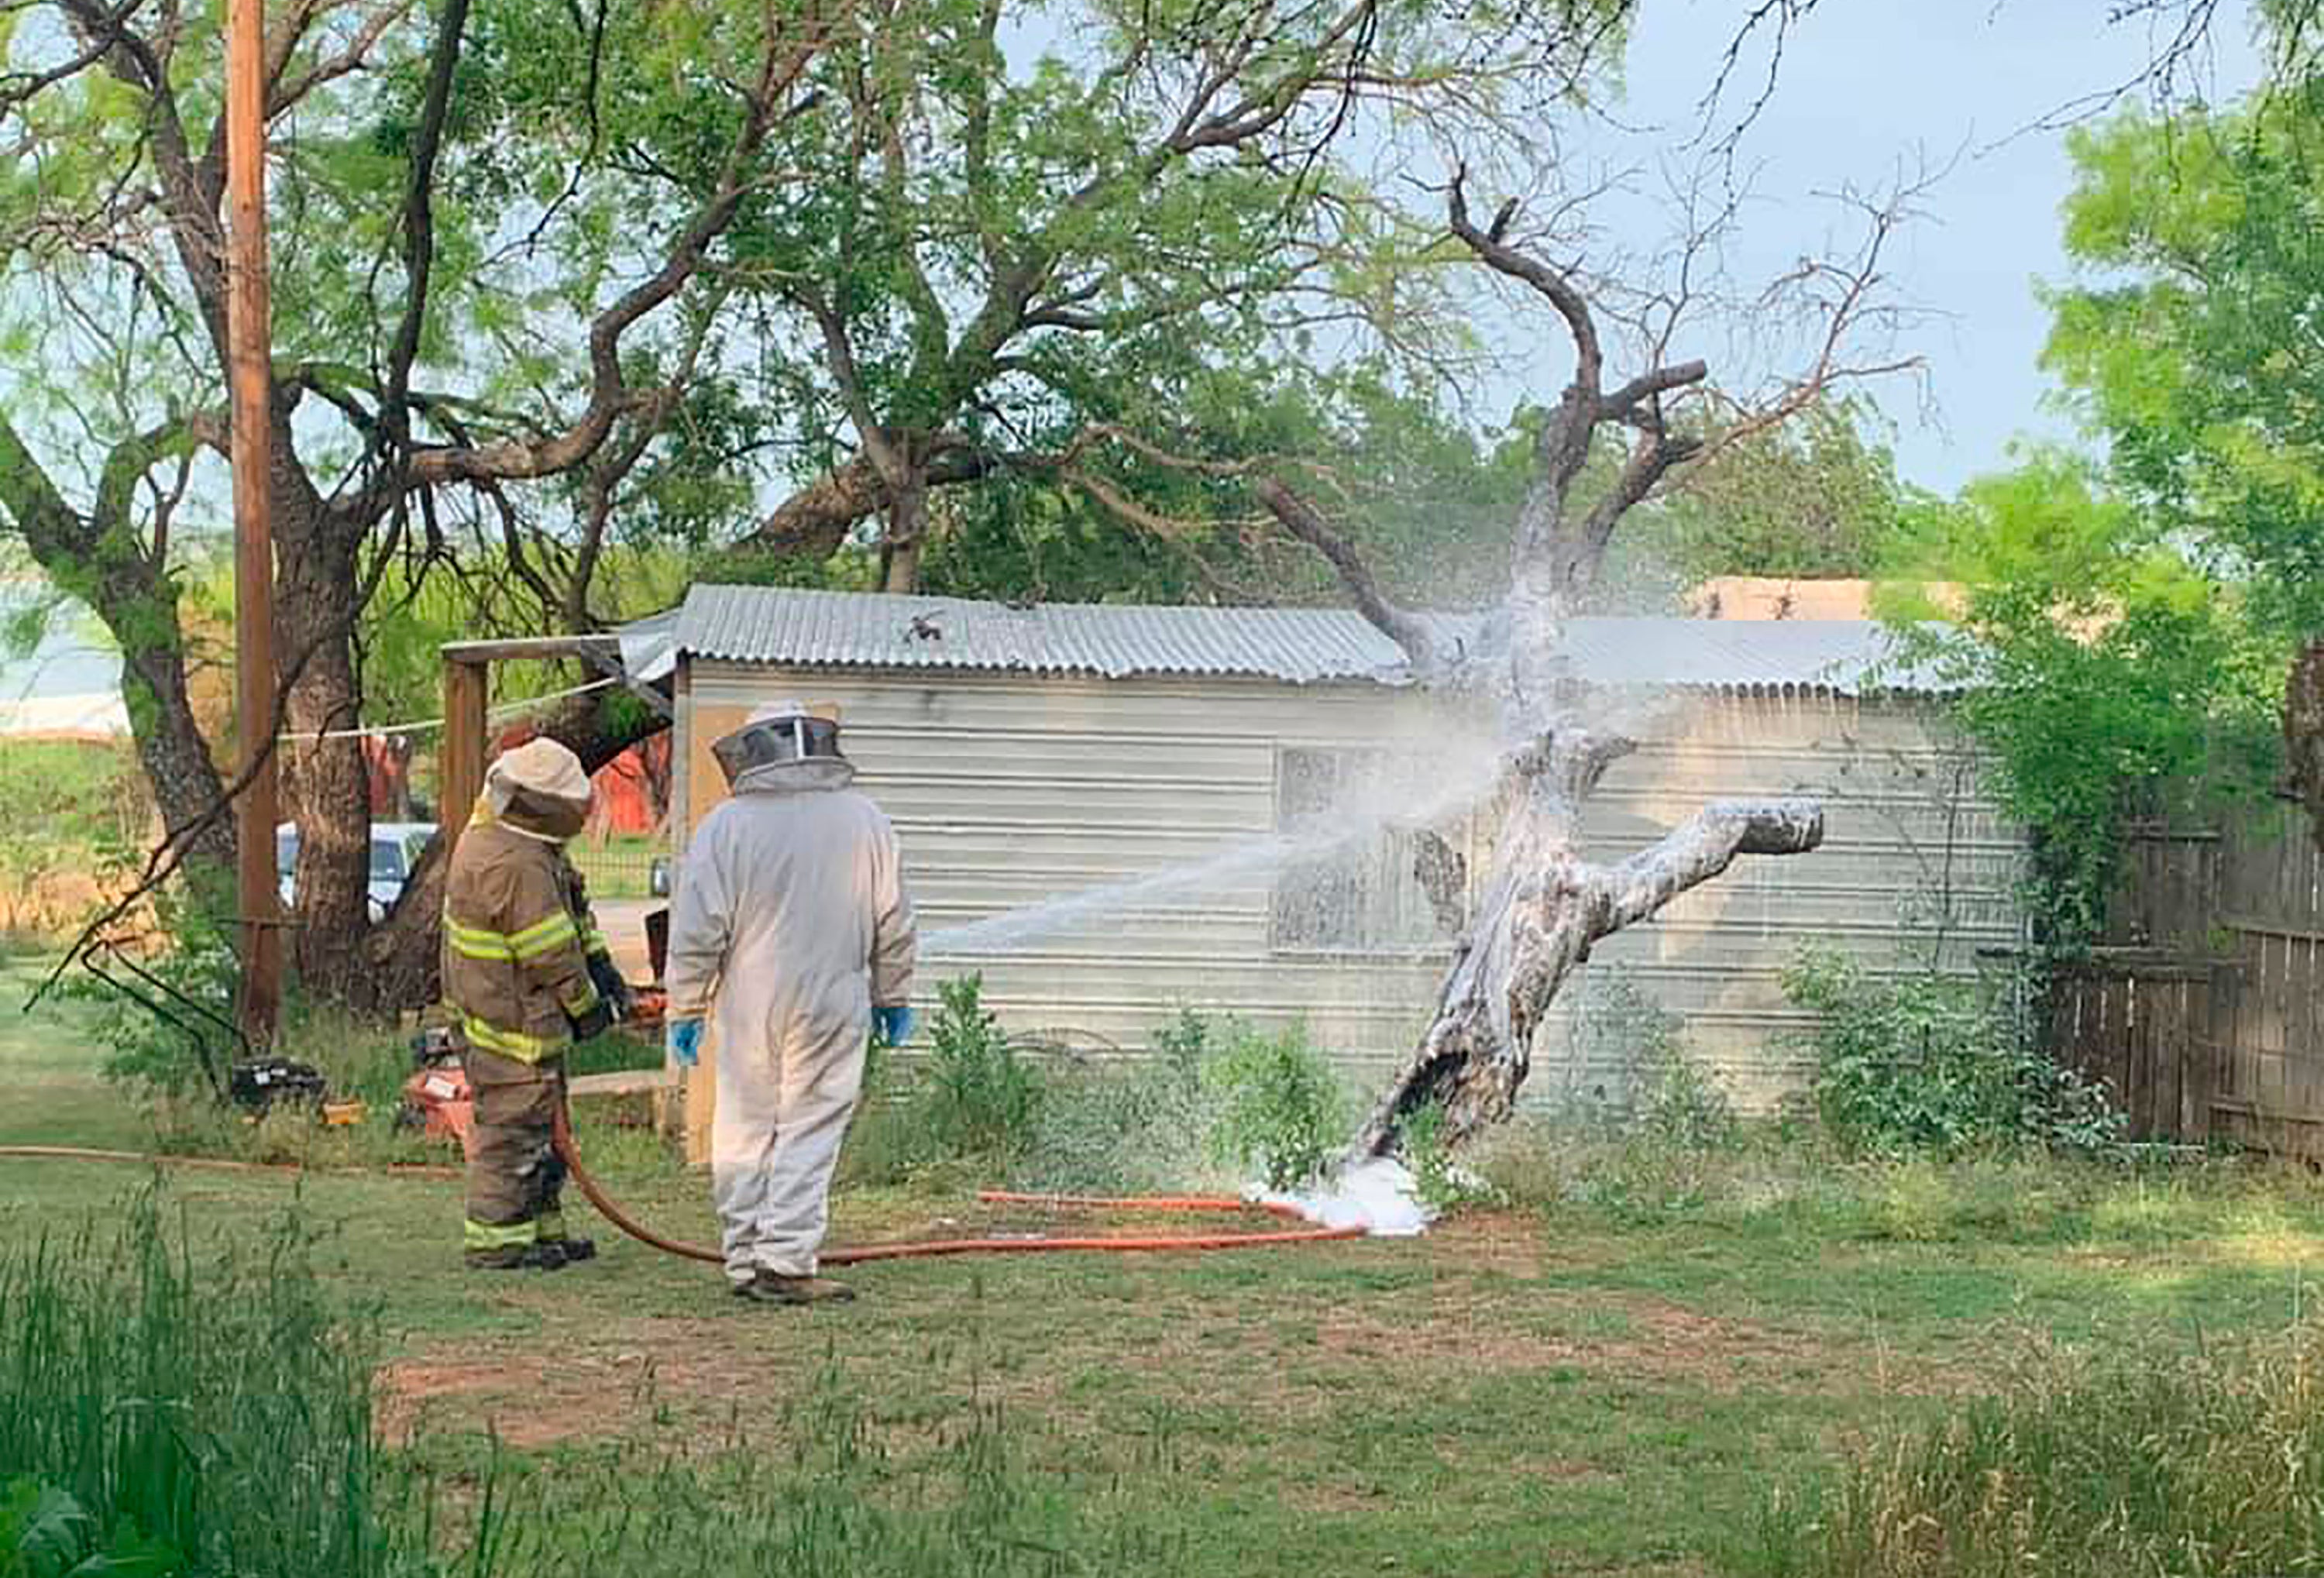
(2095,1468)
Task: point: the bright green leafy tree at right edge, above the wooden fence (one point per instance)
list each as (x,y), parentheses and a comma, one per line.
(2190,345)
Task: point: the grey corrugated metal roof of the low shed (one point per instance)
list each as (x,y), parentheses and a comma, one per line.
(875,631)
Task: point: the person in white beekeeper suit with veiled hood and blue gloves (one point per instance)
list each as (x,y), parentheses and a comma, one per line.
(794,933)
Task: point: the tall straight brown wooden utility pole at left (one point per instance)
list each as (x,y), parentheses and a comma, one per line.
(252,394)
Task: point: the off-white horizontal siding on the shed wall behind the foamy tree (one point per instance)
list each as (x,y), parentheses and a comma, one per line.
(1010,791)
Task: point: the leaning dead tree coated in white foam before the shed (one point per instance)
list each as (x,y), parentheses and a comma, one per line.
(1544,905)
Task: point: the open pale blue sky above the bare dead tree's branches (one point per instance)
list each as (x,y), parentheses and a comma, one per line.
(1870,85)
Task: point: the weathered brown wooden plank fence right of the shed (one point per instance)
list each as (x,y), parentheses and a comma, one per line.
(2207,1007)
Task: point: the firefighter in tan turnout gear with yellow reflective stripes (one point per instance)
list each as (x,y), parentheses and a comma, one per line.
(526,975)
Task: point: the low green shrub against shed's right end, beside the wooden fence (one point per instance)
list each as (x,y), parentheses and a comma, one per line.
(1930,1063)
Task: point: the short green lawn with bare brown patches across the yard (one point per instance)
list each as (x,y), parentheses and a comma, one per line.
(1593,1384)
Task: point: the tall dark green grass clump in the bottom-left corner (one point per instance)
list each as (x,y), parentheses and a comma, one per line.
(213,1403)
